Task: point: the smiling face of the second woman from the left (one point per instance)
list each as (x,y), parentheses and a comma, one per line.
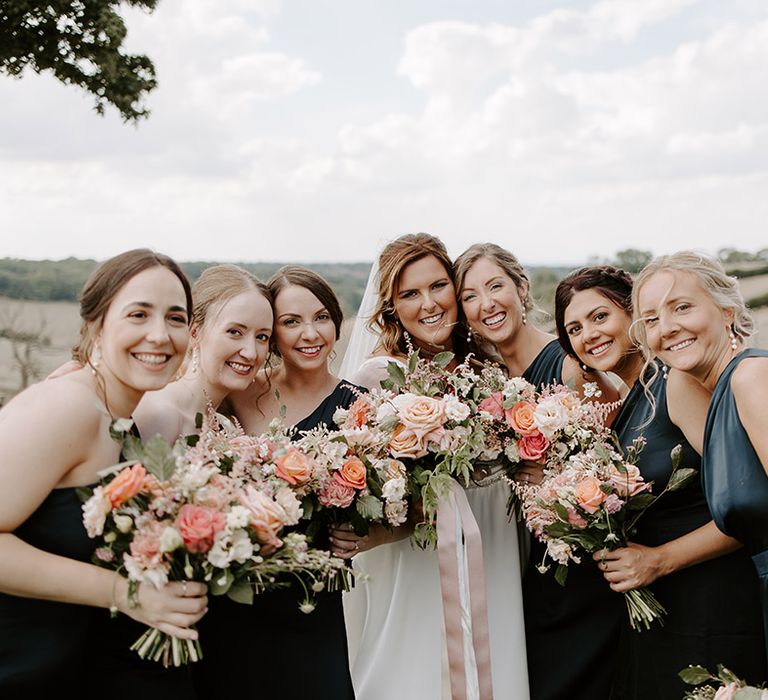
(234,341)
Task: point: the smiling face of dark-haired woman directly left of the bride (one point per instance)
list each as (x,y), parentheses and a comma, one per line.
(304,330)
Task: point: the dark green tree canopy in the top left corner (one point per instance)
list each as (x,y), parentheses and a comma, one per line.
(79,41)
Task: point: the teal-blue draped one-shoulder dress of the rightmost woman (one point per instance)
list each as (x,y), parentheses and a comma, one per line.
(735,482)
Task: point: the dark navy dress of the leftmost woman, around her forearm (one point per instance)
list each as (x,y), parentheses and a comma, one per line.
(45,646)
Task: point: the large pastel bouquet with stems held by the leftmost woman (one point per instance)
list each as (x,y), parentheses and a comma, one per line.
(196,511)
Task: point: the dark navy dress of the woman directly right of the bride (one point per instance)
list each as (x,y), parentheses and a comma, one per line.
(572,631)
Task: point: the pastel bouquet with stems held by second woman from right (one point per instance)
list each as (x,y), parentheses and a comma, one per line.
(593,501)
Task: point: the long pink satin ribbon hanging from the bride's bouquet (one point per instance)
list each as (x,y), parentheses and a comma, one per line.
(449,530)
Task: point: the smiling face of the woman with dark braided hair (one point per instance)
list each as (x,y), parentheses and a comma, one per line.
(598,330)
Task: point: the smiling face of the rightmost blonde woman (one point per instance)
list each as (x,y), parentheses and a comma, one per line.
(682,325)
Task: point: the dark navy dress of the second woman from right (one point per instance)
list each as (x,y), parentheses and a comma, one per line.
(713,608)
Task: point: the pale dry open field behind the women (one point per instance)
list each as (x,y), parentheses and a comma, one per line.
(61,323)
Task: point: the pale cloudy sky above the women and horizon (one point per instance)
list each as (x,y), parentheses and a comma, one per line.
(317,130)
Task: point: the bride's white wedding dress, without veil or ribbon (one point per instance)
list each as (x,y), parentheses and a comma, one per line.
(394,614)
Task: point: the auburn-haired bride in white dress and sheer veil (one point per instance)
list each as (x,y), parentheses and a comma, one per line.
(394,614)
